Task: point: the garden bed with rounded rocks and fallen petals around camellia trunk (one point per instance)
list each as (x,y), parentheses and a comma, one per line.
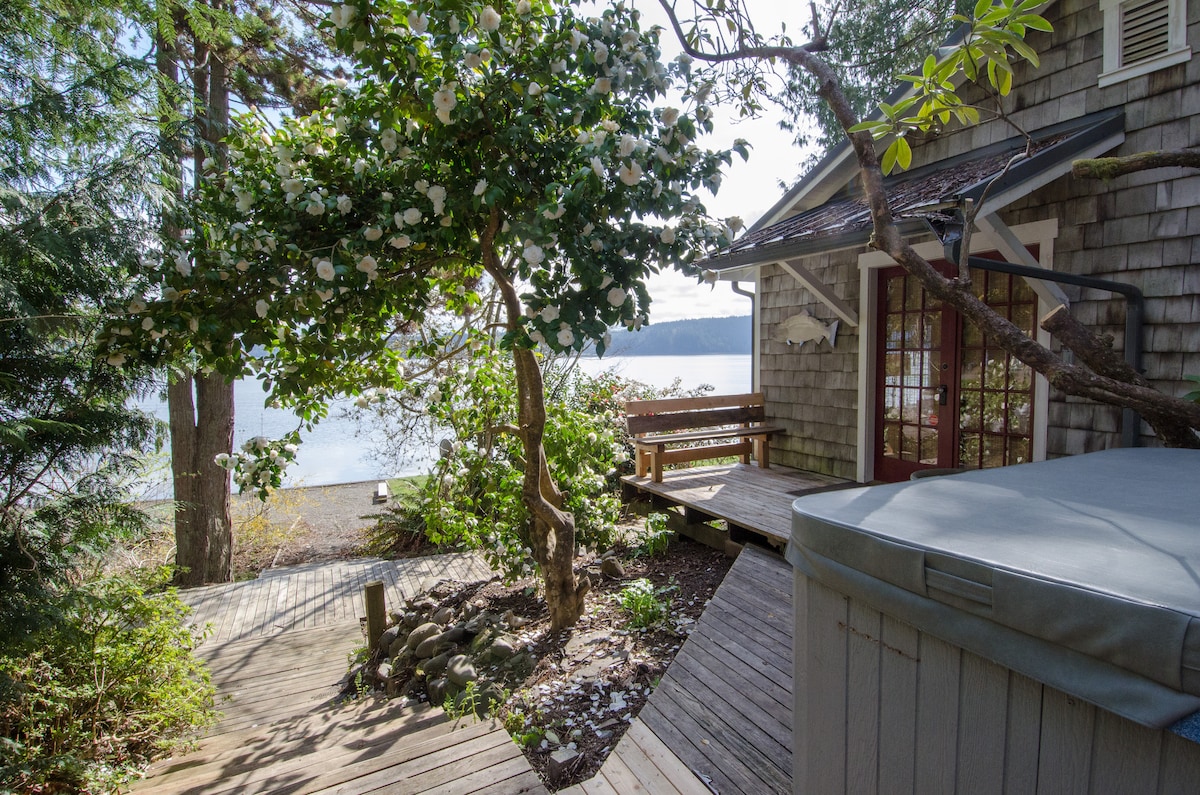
(484,650)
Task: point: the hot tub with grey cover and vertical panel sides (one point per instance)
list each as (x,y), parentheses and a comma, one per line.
(1033,629)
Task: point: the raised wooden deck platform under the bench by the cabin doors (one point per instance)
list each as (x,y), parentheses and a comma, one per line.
(752,501)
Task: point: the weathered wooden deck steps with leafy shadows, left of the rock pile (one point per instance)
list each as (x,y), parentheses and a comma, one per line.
(284,732)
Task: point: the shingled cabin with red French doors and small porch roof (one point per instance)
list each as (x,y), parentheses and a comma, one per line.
(907,385)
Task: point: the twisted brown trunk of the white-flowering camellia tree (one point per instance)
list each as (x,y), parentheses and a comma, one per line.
(553,533)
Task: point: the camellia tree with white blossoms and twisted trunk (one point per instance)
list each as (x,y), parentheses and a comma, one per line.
(518,144)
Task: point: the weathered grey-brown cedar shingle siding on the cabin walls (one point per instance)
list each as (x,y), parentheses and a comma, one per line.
(1142,229)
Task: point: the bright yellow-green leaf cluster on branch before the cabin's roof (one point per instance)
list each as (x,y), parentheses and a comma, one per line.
(995,38)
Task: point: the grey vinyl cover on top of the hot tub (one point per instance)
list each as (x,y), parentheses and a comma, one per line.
(1083,572)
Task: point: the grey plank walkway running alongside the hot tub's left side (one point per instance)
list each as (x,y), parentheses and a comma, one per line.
(722,718)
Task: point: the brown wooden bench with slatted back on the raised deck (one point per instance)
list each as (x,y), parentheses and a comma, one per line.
(674,422)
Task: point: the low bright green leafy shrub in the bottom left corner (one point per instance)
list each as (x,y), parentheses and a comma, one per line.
(101,691)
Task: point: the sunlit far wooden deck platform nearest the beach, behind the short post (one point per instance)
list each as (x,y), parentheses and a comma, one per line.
(317,595)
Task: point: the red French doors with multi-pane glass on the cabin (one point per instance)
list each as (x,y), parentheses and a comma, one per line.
(945,397)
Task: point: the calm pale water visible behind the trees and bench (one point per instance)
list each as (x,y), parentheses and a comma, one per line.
(335,453)
